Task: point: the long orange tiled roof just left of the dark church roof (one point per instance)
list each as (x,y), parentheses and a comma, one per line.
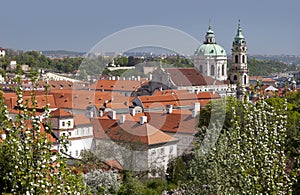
(115,85)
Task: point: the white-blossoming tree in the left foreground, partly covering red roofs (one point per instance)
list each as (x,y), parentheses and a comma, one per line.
(31,167)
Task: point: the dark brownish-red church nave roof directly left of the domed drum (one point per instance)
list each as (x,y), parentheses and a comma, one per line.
(190,77)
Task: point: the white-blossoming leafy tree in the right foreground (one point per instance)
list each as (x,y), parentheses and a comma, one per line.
(248,158)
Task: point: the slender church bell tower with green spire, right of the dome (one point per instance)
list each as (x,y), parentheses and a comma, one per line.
(239,68)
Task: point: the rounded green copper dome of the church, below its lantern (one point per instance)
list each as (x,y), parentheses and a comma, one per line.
(210,50)
